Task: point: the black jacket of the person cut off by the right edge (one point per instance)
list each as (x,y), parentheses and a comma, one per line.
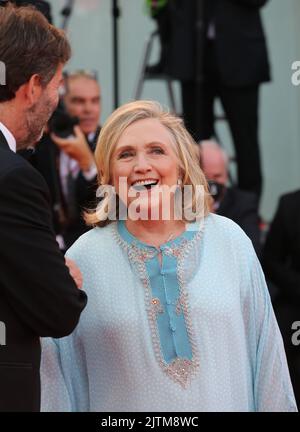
(281,254)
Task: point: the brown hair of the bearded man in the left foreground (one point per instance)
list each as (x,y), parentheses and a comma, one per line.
(29,45)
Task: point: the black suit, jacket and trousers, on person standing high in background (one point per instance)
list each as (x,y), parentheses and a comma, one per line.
(231,65)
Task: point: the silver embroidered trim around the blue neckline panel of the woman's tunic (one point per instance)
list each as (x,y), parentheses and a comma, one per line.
(179,370)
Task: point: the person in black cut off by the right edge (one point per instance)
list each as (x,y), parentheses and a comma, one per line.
(281,263)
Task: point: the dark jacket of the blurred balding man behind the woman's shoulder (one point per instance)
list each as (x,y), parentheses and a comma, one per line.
(242,207)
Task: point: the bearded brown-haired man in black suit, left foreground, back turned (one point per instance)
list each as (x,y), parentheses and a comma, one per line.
(38,296)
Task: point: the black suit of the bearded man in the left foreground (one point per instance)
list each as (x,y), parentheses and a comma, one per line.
(38,297)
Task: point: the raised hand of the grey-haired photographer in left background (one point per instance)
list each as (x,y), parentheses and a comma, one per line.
(77,148)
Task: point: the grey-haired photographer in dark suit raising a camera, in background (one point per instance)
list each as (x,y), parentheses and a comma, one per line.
(68,164)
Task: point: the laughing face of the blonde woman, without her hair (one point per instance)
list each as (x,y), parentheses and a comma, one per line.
(144,158)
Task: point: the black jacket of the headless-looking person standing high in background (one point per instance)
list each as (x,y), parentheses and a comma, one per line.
(240,42)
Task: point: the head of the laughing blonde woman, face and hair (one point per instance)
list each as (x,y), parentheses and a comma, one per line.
(141,143)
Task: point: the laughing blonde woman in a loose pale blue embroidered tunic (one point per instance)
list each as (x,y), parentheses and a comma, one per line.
(179,317)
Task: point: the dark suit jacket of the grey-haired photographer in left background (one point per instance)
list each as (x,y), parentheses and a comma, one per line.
(67,222)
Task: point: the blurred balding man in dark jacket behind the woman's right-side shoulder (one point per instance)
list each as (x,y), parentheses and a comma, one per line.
(232,202)
